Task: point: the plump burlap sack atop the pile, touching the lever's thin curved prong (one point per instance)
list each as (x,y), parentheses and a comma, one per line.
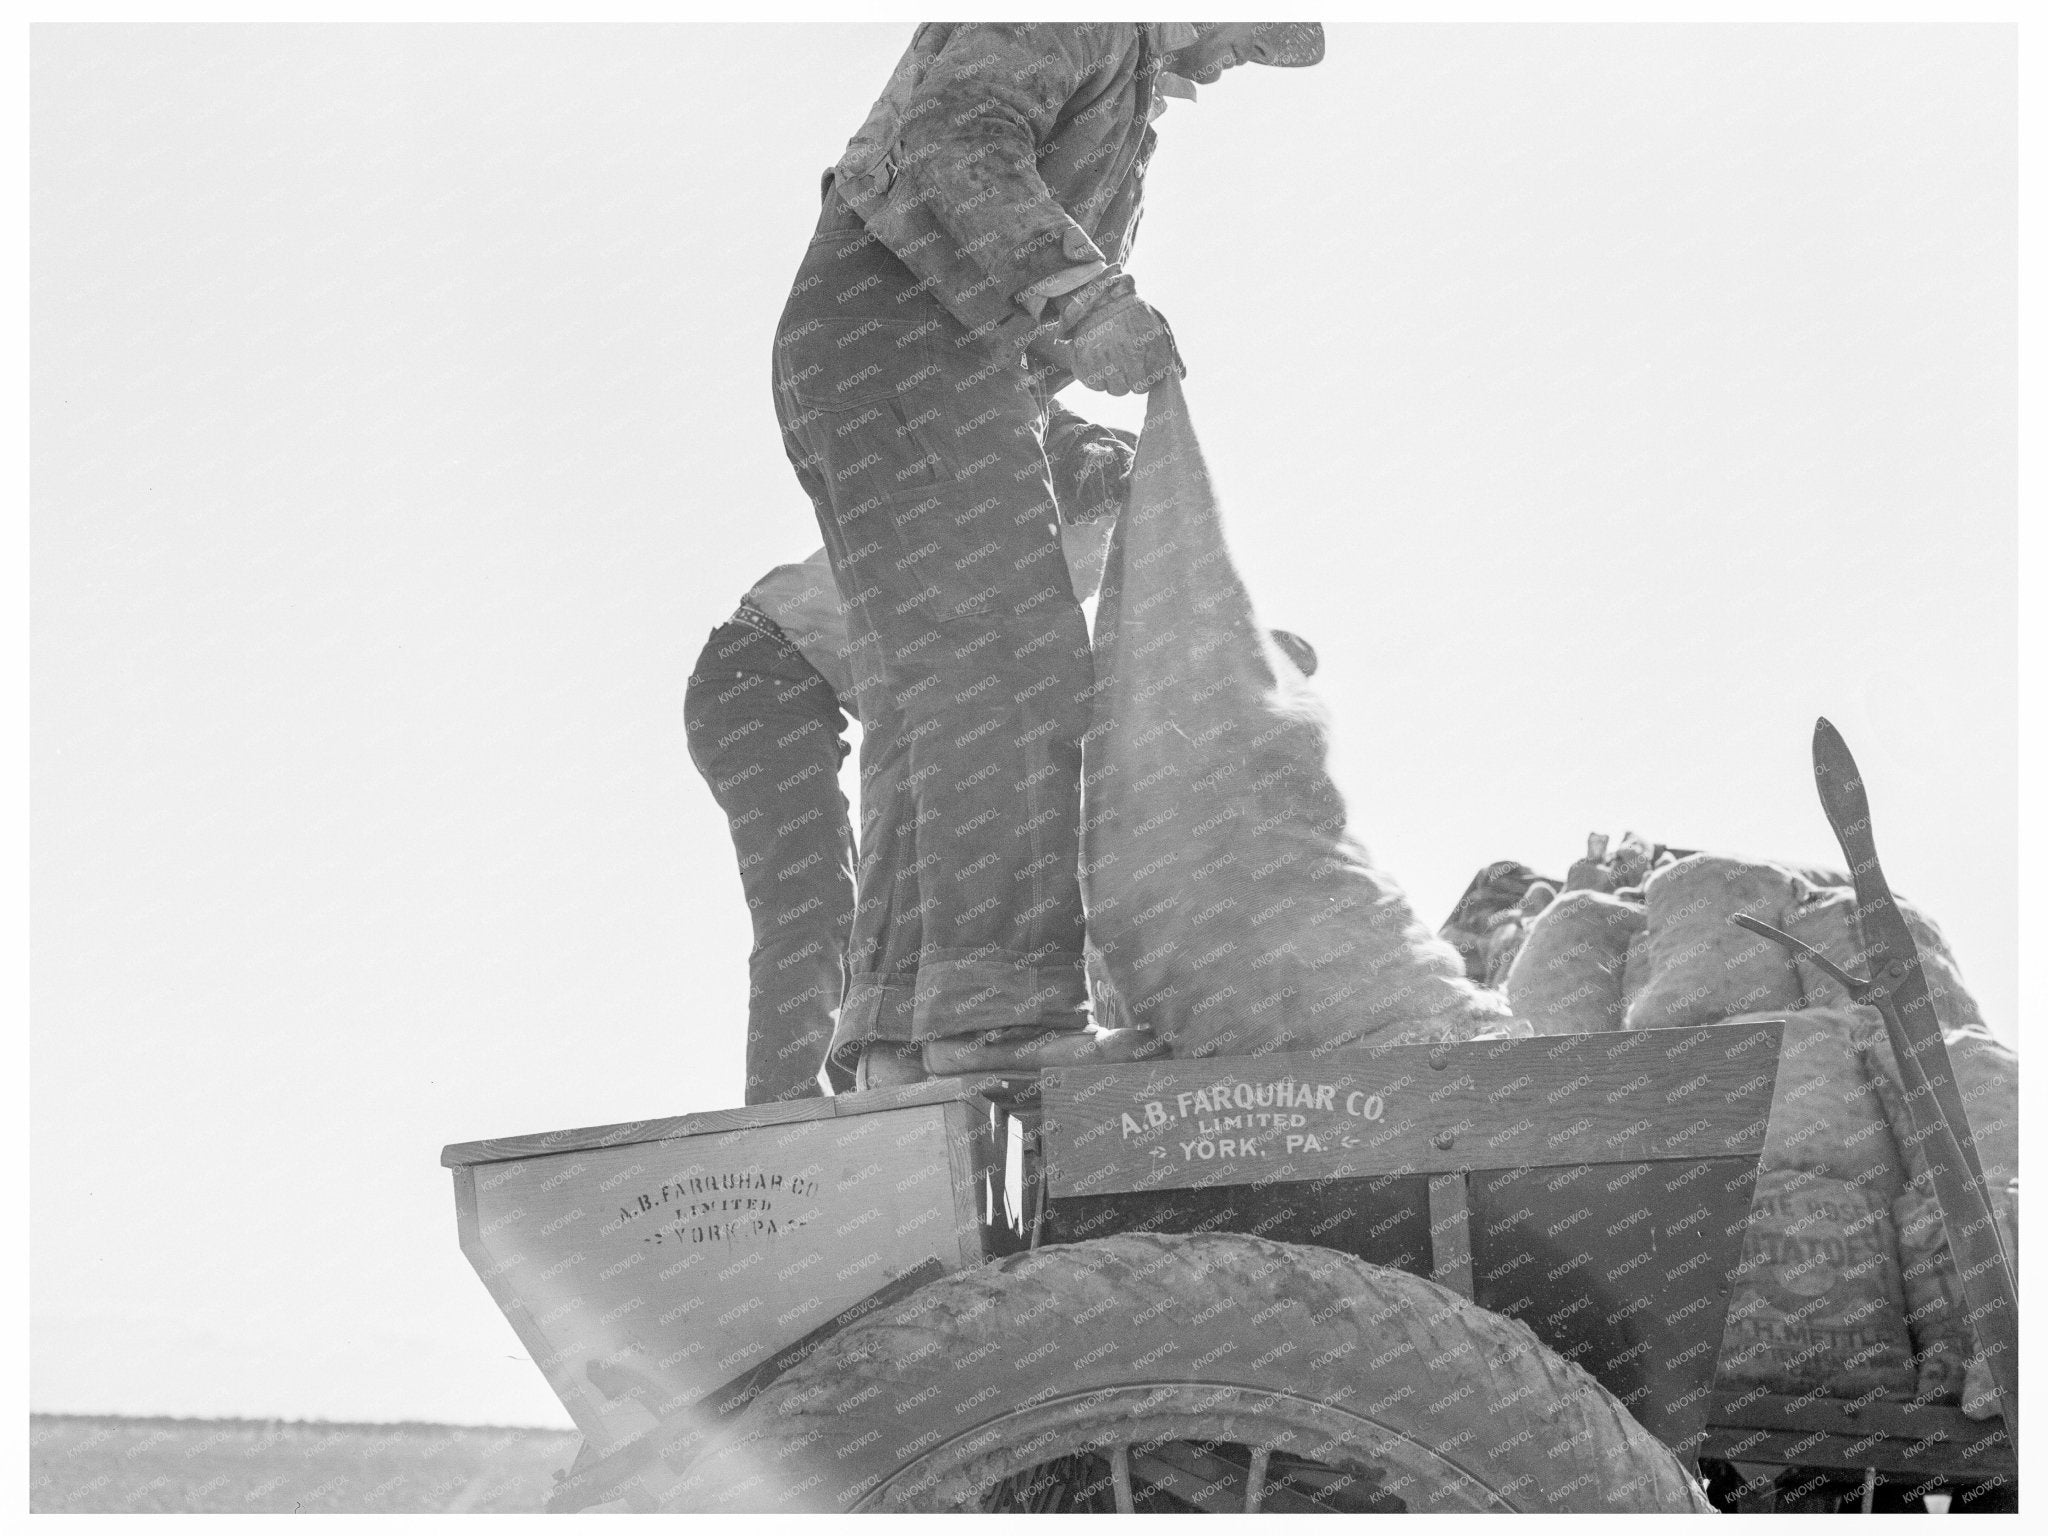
(1705,968)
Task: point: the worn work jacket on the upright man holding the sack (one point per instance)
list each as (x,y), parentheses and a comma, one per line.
(1005,159)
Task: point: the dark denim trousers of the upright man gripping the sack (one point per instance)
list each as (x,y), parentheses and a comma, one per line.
(972,663)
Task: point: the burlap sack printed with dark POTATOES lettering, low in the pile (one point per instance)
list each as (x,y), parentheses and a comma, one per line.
(1818,1304)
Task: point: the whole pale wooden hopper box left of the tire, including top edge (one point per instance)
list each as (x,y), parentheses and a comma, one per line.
(660,1273)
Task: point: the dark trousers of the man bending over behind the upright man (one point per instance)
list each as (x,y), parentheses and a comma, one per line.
(767,734)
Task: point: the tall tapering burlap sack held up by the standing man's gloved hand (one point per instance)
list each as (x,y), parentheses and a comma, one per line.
(1230,910)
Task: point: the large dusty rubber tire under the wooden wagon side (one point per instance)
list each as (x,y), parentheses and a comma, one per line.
(1422,1400)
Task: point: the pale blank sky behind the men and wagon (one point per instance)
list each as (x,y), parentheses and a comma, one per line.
(1605,404)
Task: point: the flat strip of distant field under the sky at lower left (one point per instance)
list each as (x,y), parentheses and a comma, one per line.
(282,1467)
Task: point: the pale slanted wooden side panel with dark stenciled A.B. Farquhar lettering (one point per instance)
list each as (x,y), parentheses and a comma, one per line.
(644,1275)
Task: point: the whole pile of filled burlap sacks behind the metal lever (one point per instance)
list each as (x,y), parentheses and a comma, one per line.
(1846,1283)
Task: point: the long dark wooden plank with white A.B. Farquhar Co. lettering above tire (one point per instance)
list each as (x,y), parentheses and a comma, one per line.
(1412,1109)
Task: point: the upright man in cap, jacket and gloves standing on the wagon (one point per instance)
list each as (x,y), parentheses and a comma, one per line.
(966,269)
